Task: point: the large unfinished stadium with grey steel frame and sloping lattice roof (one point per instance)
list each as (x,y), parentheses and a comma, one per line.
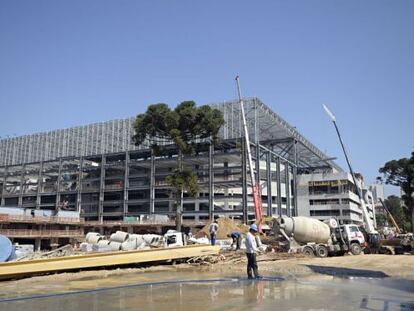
(97,171)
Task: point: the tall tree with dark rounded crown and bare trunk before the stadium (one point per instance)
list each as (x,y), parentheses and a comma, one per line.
(184,126)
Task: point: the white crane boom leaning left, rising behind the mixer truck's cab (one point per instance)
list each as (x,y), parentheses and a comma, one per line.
(369,226)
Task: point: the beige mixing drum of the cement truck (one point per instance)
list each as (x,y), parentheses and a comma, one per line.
(305,229)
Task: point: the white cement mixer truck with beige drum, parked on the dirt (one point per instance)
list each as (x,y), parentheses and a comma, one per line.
(313,237)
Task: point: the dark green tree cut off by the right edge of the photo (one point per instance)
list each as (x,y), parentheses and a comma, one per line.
(401,173)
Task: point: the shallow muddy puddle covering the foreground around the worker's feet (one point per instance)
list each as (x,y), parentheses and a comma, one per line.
(195,291)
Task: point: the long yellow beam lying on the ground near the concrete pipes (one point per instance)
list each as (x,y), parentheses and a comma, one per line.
(17,269)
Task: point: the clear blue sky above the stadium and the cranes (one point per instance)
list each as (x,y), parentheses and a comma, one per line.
(68,63)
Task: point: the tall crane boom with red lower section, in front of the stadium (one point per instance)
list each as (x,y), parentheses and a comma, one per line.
(256,188)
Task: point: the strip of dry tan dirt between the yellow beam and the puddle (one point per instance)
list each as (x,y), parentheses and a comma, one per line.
(399,266)
